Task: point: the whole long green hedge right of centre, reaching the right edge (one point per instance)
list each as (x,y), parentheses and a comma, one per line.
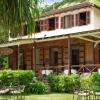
(67,84)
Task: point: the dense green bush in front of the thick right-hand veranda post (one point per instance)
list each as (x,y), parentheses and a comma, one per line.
(63,83)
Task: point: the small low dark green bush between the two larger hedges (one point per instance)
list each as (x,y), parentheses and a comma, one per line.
(37,88)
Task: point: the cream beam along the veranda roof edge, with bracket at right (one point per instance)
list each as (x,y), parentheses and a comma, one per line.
(31,40)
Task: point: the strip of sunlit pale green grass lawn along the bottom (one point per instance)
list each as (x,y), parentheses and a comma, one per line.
(53,96)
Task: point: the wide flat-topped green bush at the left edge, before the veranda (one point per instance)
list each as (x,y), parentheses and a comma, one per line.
(18,77)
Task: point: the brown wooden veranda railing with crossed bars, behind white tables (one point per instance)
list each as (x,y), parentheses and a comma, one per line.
(88,68)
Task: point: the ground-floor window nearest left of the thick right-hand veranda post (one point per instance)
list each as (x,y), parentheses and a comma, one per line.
(54,56)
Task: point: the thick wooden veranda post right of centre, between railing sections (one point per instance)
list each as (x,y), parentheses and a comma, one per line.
(69,55)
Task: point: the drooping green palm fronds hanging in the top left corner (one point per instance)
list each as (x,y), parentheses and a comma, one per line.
(15,13)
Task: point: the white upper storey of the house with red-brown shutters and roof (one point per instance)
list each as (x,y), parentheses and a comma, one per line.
(74,19)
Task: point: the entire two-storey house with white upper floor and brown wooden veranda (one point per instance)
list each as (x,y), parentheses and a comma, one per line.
(66,38)
